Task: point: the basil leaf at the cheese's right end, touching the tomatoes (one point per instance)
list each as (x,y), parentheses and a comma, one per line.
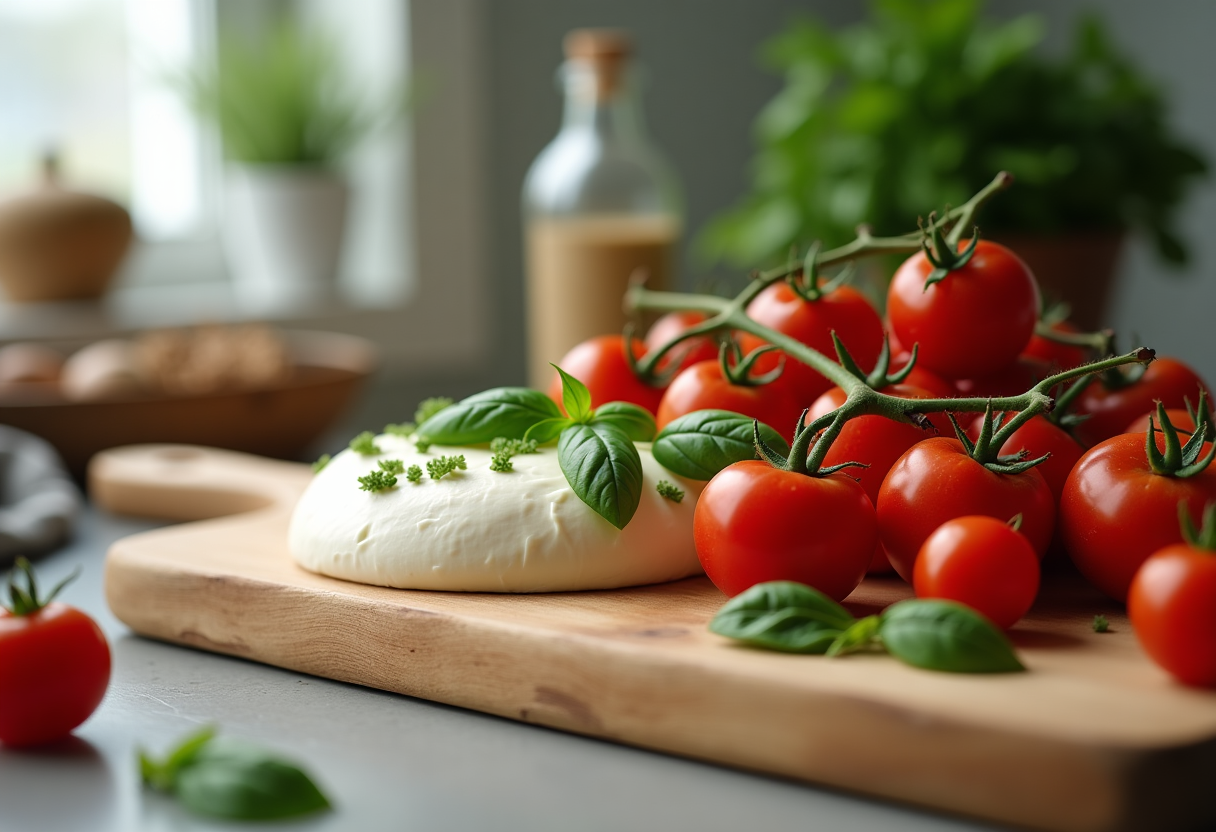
(702,443)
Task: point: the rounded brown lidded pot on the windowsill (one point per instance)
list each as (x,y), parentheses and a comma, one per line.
(60,245)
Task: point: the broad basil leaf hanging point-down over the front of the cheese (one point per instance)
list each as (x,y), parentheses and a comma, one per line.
(604,469)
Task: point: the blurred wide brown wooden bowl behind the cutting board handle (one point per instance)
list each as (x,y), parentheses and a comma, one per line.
(279,421)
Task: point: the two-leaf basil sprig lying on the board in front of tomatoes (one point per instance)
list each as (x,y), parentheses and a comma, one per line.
(930,634)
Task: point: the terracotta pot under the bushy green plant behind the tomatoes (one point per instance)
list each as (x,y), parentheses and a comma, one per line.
(1078,269)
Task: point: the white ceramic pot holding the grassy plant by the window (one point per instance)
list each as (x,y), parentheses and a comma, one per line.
(283,234)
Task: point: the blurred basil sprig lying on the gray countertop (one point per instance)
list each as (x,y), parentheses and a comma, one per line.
(234,780)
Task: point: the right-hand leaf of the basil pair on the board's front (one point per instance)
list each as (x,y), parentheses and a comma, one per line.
(943,636)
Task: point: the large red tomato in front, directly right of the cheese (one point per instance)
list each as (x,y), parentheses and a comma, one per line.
(757,524)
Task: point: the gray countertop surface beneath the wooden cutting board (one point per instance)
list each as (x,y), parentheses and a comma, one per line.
(389,762)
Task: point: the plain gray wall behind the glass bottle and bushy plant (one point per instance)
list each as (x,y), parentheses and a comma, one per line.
(705,88)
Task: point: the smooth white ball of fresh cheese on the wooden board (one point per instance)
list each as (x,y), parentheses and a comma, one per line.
(481,531)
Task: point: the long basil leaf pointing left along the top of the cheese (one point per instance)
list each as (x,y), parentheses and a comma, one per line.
(504,412)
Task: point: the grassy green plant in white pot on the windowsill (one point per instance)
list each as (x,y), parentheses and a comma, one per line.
(288,110)
